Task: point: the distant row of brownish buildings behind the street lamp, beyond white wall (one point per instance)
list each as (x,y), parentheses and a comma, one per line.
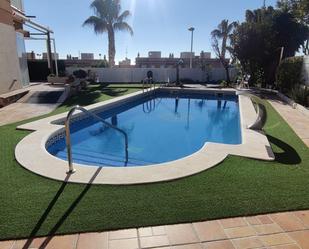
(154,60)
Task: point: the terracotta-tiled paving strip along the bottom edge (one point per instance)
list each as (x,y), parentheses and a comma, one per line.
(288,230)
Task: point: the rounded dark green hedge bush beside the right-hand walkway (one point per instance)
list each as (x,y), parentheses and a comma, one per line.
(289,74)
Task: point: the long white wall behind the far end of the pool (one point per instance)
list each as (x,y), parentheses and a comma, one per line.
(131,75)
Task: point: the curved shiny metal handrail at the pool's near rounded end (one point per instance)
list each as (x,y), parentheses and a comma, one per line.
(68,134)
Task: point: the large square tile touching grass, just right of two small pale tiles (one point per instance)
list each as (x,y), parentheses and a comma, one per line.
(181,234)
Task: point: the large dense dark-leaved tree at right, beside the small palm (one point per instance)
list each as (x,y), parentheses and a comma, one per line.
(258,41)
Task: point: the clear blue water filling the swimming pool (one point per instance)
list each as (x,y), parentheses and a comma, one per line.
(160,129)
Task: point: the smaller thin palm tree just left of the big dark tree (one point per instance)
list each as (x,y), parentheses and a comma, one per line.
(222,34)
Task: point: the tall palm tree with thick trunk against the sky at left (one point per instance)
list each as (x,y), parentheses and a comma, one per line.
(108,19)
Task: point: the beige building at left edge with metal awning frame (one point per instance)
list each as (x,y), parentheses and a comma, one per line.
(13,57)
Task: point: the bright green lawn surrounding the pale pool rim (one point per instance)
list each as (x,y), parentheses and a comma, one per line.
(31,205)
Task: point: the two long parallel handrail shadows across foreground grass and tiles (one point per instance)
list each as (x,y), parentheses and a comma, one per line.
(65,215)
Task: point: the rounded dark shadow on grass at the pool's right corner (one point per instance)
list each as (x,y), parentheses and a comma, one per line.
(288,156)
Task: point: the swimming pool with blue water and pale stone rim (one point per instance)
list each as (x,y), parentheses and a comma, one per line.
(187,130)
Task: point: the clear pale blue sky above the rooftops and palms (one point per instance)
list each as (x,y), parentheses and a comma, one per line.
(159,25)
